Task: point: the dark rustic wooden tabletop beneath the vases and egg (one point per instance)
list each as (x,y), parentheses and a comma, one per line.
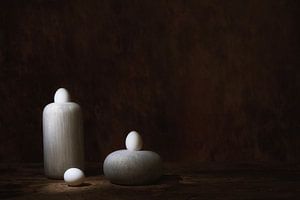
(180,181)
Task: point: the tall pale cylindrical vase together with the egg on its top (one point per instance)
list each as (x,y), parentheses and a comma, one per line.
(62,135)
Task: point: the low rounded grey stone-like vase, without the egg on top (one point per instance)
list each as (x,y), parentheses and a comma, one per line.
(126,167)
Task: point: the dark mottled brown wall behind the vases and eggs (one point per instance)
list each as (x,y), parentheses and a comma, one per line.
(200,80)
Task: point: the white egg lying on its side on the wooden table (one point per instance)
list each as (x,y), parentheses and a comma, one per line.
(74,176)
